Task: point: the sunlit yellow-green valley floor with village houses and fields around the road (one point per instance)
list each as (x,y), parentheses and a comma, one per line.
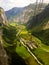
(39,49)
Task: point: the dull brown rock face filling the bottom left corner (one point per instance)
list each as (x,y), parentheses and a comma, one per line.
(3,56)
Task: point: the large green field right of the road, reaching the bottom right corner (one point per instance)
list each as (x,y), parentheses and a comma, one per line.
(42,52)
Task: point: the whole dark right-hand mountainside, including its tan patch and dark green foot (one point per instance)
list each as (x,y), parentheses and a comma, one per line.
(39,25)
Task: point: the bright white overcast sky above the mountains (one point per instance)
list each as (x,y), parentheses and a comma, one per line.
(8,4)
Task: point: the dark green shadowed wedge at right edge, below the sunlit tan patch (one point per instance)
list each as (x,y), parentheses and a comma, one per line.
(43,35)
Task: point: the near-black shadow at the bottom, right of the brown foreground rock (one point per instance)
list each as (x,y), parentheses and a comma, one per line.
(14,58)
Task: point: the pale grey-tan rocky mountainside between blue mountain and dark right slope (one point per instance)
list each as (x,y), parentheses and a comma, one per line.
(26,14)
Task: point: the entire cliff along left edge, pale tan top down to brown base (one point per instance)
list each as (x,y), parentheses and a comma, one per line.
(3,55)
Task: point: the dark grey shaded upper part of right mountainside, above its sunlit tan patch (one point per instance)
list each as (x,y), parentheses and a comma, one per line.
(39,19)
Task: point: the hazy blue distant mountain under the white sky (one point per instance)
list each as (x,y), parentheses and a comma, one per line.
(12,12)
